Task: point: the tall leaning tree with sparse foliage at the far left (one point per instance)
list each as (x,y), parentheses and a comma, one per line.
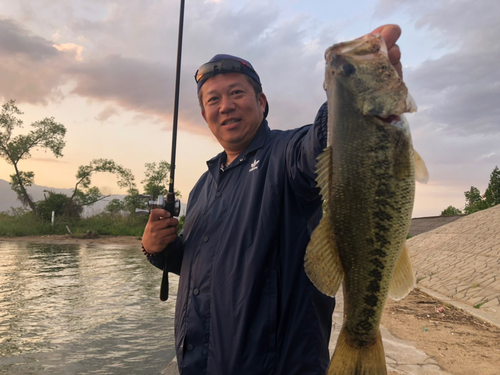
(47,134)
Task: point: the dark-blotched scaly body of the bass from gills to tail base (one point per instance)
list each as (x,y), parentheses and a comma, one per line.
(370,214)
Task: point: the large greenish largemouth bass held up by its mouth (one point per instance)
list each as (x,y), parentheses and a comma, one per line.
(367,180)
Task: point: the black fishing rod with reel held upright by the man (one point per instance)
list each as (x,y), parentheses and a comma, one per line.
(170,203)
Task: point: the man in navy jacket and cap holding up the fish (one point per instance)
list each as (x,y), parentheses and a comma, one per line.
(245,304)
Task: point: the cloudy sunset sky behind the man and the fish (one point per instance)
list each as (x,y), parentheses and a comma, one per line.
(106,70)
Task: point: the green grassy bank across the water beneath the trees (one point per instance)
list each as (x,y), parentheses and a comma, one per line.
(103,224)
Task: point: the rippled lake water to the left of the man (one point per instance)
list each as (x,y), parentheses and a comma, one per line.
(82,309)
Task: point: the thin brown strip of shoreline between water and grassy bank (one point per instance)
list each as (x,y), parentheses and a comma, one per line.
(68,239)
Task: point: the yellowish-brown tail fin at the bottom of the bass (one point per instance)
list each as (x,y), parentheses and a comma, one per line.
(366,360)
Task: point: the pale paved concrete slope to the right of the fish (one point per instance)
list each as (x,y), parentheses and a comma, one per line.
(461,261)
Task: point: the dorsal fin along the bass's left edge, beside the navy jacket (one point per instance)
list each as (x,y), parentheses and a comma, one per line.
(321,262)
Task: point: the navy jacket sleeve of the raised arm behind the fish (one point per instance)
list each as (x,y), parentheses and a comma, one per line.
(301,153)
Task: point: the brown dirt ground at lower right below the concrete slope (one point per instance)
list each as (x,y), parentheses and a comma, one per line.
(459,342)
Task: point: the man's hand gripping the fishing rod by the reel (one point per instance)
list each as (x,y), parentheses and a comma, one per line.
(160,230)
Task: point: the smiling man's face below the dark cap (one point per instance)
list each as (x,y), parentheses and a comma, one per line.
(232,111)
